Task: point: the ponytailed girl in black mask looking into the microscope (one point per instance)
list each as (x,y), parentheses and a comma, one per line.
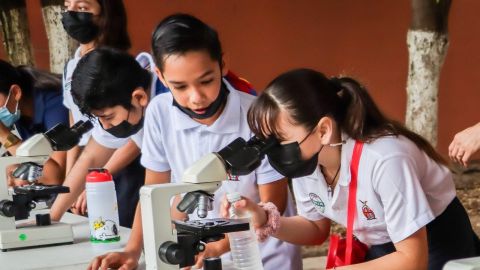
(405,201)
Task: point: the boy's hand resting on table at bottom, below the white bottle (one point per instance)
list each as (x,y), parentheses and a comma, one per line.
(118,260)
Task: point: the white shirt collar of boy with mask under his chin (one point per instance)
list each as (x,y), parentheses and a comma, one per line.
(227,122)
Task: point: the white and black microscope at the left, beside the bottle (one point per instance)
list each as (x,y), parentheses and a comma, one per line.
(16,203)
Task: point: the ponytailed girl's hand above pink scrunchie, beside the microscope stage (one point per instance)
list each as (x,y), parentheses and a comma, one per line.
(259,216)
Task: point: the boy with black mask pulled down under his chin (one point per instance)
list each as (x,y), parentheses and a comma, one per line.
(201,114)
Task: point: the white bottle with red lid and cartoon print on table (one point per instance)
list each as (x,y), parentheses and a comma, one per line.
(102,210)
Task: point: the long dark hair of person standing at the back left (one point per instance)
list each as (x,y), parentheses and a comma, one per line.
(113,25)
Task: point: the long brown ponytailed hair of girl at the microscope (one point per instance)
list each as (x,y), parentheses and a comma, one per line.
(308,96)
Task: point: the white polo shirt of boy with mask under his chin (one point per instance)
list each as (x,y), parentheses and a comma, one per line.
(173,141)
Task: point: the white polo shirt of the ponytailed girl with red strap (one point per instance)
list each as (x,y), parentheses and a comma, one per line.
(400,190)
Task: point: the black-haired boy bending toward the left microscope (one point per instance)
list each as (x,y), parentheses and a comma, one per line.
(111,85)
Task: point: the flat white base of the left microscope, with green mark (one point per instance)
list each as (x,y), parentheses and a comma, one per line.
(35,236)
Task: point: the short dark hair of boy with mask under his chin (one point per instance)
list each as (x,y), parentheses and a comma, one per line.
(182,33)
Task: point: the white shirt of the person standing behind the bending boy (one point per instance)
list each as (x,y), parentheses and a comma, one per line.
(67,95)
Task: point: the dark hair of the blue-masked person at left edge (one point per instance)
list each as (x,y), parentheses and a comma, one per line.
(10,75)
